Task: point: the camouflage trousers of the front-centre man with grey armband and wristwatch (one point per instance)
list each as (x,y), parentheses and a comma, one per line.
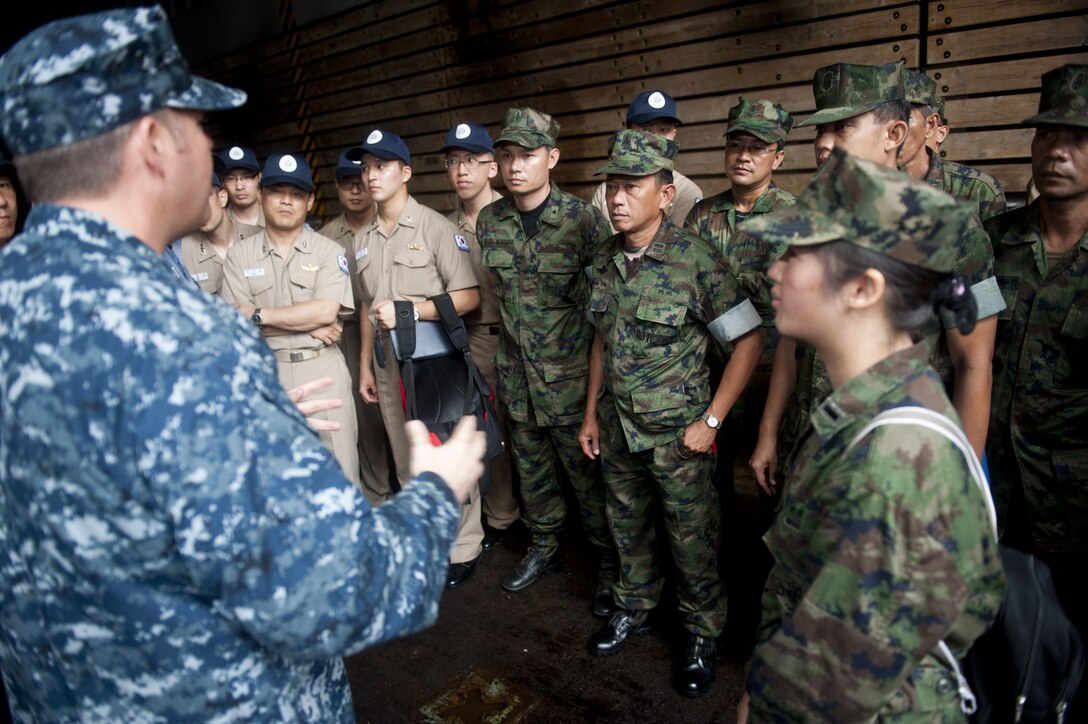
(664,485)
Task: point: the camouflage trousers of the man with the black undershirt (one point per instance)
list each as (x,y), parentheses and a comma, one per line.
(537,450)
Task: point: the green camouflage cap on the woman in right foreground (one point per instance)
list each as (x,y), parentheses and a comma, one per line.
(880,210)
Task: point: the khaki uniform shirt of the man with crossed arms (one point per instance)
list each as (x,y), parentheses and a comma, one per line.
(315,268)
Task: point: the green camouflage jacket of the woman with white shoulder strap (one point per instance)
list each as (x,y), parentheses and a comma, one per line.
(881,553)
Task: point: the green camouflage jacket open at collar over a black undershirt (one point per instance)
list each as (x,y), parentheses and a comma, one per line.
(541,283)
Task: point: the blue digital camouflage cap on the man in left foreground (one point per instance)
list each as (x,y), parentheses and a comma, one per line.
(82,77)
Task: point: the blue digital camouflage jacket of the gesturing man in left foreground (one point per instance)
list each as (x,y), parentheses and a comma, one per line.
(155,568)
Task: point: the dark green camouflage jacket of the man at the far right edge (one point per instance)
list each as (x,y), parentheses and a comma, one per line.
(1040,411)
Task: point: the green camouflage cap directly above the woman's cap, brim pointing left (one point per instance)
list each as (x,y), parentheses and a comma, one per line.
(845,91)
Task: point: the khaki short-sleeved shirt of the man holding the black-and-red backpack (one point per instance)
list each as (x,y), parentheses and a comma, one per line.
(423,257)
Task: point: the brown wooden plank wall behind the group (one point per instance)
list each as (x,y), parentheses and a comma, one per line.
(418,67)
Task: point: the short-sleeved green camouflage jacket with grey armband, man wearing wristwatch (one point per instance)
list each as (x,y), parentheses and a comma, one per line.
(657,328)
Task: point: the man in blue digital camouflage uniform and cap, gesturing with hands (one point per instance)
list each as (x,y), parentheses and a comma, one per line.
(176,545)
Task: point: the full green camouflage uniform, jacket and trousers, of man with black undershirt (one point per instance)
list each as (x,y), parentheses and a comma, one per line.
(543,352)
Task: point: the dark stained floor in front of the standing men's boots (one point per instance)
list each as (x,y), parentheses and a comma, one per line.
(498,657)
